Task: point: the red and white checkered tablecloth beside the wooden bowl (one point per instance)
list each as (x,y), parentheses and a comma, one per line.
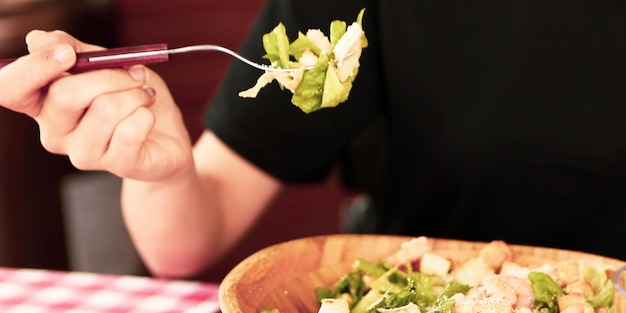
(43,291)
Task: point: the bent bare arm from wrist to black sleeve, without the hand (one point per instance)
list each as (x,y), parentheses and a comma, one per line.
(185,223)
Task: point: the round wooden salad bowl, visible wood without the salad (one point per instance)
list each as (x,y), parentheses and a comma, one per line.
(284,276)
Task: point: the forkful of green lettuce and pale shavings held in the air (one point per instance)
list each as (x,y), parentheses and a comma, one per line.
(324,68)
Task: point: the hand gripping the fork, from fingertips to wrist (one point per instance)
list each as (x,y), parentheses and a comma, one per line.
(119,120)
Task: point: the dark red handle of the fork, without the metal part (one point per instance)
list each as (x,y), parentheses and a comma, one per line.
(118,57)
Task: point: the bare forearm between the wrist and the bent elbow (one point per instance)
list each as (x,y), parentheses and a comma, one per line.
(173,224)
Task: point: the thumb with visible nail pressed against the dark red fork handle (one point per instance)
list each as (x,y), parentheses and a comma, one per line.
(22,81)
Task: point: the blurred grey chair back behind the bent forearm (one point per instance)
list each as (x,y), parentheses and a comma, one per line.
(97,238)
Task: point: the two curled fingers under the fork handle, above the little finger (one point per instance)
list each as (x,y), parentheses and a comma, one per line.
(82,110)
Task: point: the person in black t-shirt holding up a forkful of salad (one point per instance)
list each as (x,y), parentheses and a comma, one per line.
(496,120)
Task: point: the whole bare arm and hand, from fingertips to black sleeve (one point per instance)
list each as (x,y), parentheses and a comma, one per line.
(184,205)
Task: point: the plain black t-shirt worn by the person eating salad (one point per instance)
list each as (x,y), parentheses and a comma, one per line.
(499,119)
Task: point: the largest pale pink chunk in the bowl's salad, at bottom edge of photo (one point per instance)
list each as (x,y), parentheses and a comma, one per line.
(497,294)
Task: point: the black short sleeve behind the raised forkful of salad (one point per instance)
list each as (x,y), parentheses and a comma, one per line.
(272,133)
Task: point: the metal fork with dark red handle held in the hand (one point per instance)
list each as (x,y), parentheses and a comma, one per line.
(145,54)
